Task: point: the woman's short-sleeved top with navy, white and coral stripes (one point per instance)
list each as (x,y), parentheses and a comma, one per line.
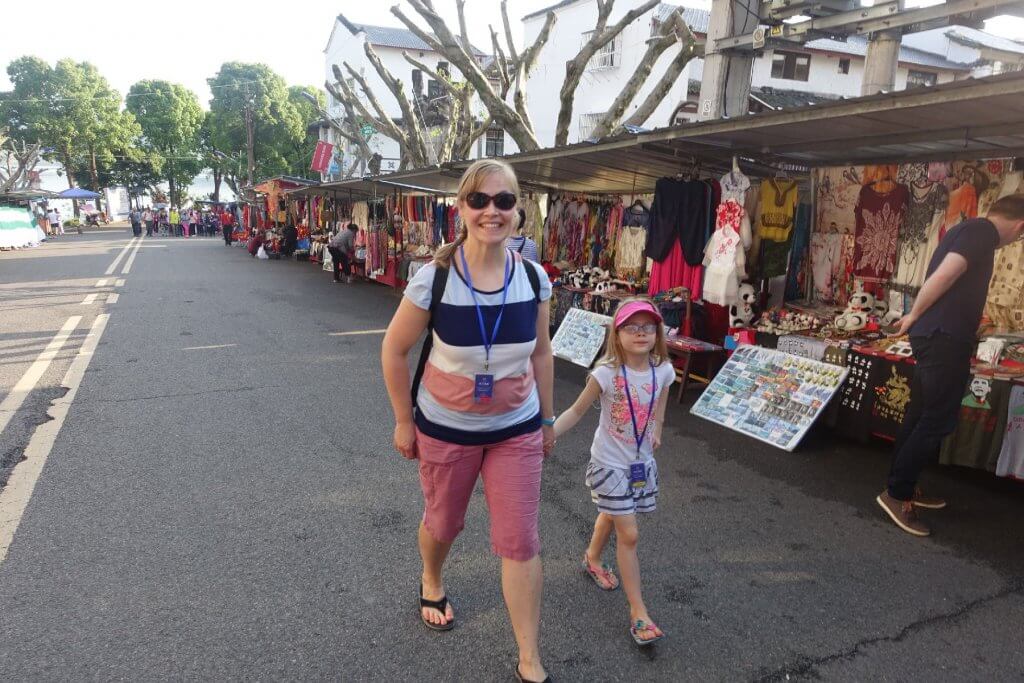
(447,410)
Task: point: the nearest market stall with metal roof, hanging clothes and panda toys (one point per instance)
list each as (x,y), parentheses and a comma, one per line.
(805,231)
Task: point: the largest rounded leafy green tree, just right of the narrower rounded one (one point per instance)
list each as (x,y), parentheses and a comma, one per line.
(251,111)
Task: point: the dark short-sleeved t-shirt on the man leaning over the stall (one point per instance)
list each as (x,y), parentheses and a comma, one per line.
(958,313)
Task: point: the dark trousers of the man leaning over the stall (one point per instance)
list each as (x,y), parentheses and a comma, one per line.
(941,375)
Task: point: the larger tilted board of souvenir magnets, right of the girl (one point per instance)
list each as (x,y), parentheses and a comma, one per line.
(771,396)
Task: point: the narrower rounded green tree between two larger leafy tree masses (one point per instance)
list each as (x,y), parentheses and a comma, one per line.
(170,118)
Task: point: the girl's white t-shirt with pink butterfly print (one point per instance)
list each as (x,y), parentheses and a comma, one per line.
(615,441)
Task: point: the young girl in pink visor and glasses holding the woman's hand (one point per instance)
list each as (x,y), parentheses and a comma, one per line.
(632,382)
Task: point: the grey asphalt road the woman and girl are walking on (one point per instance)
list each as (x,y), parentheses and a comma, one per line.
(223,502)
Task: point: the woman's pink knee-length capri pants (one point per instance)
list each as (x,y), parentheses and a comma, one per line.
(511,473)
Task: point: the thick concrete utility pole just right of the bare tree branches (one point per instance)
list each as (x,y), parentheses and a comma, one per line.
(726,88)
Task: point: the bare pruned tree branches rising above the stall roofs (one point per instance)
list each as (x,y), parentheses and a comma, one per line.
(501,89)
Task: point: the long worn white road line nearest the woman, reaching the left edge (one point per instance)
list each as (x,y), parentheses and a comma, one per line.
(16,496)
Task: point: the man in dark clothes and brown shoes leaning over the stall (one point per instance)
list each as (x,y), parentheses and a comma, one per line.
(944,325)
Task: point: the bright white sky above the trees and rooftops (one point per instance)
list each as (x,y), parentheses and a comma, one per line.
(188,40)
